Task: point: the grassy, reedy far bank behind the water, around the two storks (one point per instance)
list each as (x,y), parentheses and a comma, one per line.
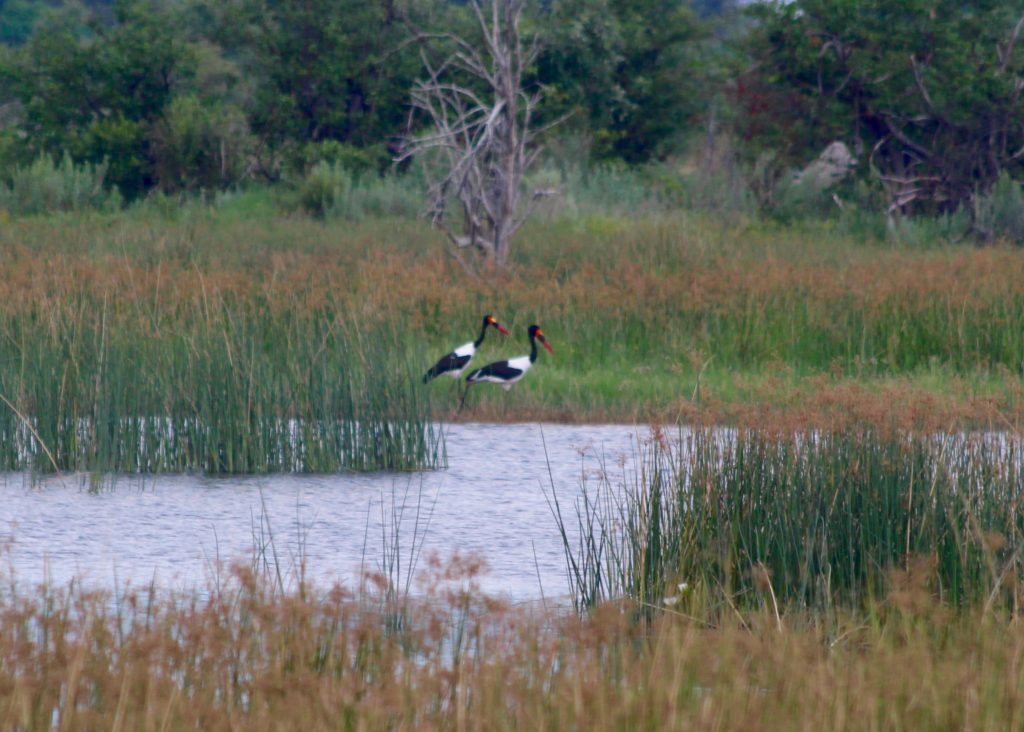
(230,322)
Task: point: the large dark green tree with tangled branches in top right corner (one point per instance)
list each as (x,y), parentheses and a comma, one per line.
(928,92)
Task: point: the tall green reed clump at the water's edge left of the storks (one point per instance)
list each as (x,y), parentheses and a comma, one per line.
(217,377)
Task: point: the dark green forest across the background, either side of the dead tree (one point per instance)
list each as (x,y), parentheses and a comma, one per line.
(704,104)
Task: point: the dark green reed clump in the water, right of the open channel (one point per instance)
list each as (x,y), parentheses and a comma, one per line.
(812,521)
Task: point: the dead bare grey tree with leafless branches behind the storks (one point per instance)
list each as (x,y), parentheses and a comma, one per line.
(483,137)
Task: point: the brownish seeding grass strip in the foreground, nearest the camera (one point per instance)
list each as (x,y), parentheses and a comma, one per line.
(248,658)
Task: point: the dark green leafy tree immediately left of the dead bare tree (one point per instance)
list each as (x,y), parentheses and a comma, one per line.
(324,70)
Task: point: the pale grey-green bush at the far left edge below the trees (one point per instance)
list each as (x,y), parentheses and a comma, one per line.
(45,187)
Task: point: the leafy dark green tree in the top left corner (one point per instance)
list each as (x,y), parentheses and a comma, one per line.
(97,91)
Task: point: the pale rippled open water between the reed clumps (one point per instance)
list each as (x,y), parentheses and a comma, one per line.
(178,530)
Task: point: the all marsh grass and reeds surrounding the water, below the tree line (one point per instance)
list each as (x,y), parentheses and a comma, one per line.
(848,527)
